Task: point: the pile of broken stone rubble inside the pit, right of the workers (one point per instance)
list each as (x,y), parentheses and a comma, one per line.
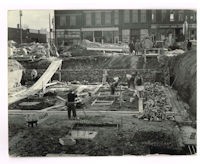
(156,102)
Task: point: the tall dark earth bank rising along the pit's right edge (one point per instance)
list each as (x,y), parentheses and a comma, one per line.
(184,71)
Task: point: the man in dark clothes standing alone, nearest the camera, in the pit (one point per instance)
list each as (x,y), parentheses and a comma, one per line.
(71,104)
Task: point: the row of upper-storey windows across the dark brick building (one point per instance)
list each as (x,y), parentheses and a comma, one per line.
(126,17)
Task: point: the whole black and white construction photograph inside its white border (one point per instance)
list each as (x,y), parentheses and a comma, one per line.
(102,82)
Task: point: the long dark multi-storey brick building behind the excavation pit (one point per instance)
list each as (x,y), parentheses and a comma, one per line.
(112,26)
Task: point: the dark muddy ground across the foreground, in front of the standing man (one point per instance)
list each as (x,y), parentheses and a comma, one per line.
(132,137)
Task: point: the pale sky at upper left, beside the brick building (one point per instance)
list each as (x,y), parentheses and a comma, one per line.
(34,19)
